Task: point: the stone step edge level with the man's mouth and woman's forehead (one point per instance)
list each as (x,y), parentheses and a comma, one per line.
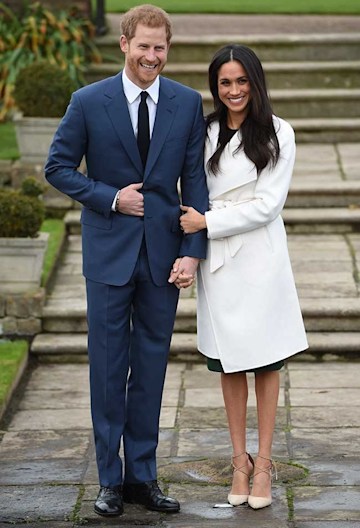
(199,67)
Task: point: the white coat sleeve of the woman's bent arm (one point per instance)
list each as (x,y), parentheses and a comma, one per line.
(269,197)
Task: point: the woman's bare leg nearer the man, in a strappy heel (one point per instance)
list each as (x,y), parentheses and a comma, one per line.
(235,392)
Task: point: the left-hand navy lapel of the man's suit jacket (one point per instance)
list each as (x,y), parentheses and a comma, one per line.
(118,112)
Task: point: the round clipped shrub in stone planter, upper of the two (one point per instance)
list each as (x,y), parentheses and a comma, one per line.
(42,92)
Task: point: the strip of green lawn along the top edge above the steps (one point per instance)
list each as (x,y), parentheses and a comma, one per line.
(244,6)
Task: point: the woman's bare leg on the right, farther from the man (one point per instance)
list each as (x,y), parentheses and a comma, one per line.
(267,386)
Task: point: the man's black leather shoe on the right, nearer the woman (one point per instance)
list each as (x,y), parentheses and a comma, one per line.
(150,495)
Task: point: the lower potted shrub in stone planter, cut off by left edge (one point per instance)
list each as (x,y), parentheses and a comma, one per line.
(22,247)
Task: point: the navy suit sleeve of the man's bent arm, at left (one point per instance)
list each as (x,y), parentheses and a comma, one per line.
(66,152)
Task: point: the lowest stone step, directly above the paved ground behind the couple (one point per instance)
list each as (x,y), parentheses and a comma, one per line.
(51,346)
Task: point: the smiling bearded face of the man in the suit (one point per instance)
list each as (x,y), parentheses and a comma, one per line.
(145,54)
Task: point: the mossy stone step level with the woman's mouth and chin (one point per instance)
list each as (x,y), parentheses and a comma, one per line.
(308,103)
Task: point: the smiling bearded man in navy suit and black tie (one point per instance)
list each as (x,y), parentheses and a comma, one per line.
(135,256)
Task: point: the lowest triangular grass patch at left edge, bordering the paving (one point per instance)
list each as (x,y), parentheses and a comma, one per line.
(12,354)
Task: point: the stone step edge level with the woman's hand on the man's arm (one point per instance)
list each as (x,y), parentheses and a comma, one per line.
(309,215)
